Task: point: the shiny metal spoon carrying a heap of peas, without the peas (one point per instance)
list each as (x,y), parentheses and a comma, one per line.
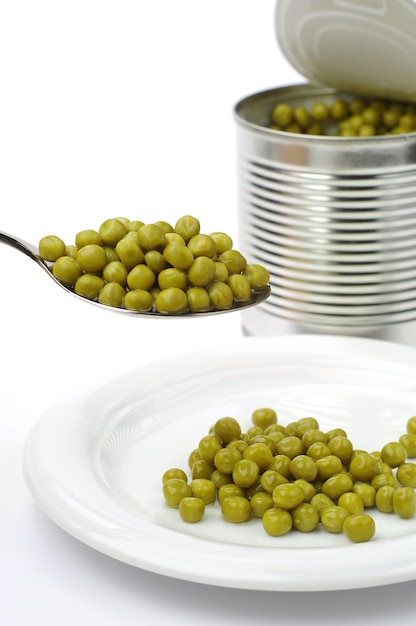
(33,253)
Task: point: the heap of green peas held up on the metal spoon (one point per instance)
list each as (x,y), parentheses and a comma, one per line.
(154,266)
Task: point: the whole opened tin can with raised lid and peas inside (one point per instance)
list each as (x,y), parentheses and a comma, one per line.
(327,175)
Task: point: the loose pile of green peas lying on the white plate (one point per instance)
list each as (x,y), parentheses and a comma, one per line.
(294,477)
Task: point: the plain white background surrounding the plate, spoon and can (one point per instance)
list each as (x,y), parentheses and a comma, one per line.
(111,106)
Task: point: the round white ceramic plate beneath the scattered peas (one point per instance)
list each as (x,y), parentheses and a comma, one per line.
(94,461)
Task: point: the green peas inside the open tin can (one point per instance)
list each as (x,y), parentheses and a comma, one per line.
(357,117)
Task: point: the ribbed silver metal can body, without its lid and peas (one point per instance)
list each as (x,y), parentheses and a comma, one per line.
(332,218)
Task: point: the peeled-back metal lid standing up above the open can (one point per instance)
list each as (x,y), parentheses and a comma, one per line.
(366,47)
